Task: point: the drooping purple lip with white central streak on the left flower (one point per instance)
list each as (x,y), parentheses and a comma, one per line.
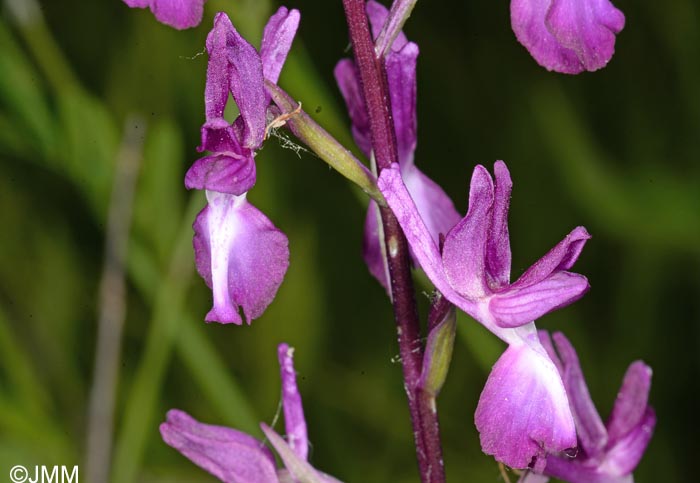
(241,255)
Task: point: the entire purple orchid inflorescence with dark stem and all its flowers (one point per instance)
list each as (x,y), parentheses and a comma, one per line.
(535,413)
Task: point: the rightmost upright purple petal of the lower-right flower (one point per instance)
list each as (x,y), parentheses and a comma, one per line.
(631,402)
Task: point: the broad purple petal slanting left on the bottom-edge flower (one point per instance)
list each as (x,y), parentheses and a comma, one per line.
(230,455)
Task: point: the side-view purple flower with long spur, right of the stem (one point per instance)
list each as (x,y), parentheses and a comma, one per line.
(523,411)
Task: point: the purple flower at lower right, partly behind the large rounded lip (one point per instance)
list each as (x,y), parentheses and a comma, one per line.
(608,453)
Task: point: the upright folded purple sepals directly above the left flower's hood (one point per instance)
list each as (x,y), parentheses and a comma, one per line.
(235,66)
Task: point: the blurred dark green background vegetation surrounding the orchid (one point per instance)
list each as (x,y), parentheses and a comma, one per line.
(617,151)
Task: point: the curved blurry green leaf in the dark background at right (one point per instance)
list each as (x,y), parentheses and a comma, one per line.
(639,207)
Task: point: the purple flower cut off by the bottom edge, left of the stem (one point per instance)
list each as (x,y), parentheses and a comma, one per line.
(236,457)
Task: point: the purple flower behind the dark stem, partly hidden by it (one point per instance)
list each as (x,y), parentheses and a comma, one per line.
(435,207)
